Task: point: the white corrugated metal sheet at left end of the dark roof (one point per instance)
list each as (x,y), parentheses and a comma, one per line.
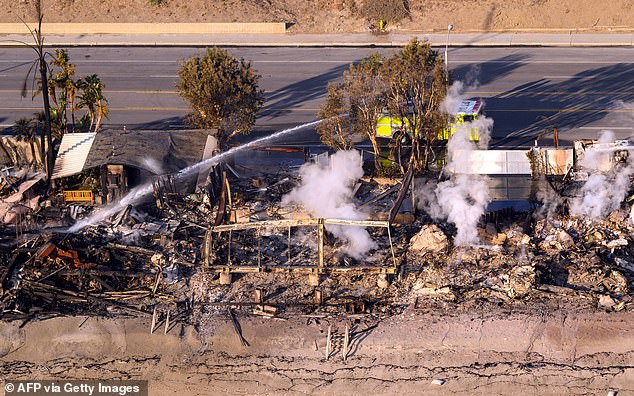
(72,154)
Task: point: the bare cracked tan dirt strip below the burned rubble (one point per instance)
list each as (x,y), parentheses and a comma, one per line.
(500,353)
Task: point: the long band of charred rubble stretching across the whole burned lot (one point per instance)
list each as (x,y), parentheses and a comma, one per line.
(158,255)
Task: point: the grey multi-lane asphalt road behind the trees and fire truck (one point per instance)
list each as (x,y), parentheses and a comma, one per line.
(526,90)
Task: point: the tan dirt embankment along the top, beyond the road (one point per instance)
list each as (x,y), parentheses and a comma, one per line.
(331,16)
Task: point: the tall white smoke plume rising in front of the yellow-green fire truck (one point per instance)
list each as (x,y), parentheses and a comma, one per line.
(463,198)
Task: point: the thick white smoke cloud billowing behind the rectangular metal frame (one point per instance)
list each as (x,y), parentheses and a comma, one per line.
(326,190)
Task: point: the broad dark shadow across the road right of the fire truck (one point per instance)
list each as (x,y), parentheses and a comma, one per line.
(567,104)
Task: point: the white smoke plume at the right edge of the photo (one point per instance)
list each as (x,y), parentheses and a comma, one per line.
(602,192)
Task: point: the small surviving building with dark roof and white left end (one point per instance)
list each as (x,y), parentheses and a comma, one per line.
(128,158)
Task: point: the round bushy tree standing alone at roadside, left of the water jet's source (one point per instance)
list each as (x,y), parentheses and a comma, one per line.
(222,92)
